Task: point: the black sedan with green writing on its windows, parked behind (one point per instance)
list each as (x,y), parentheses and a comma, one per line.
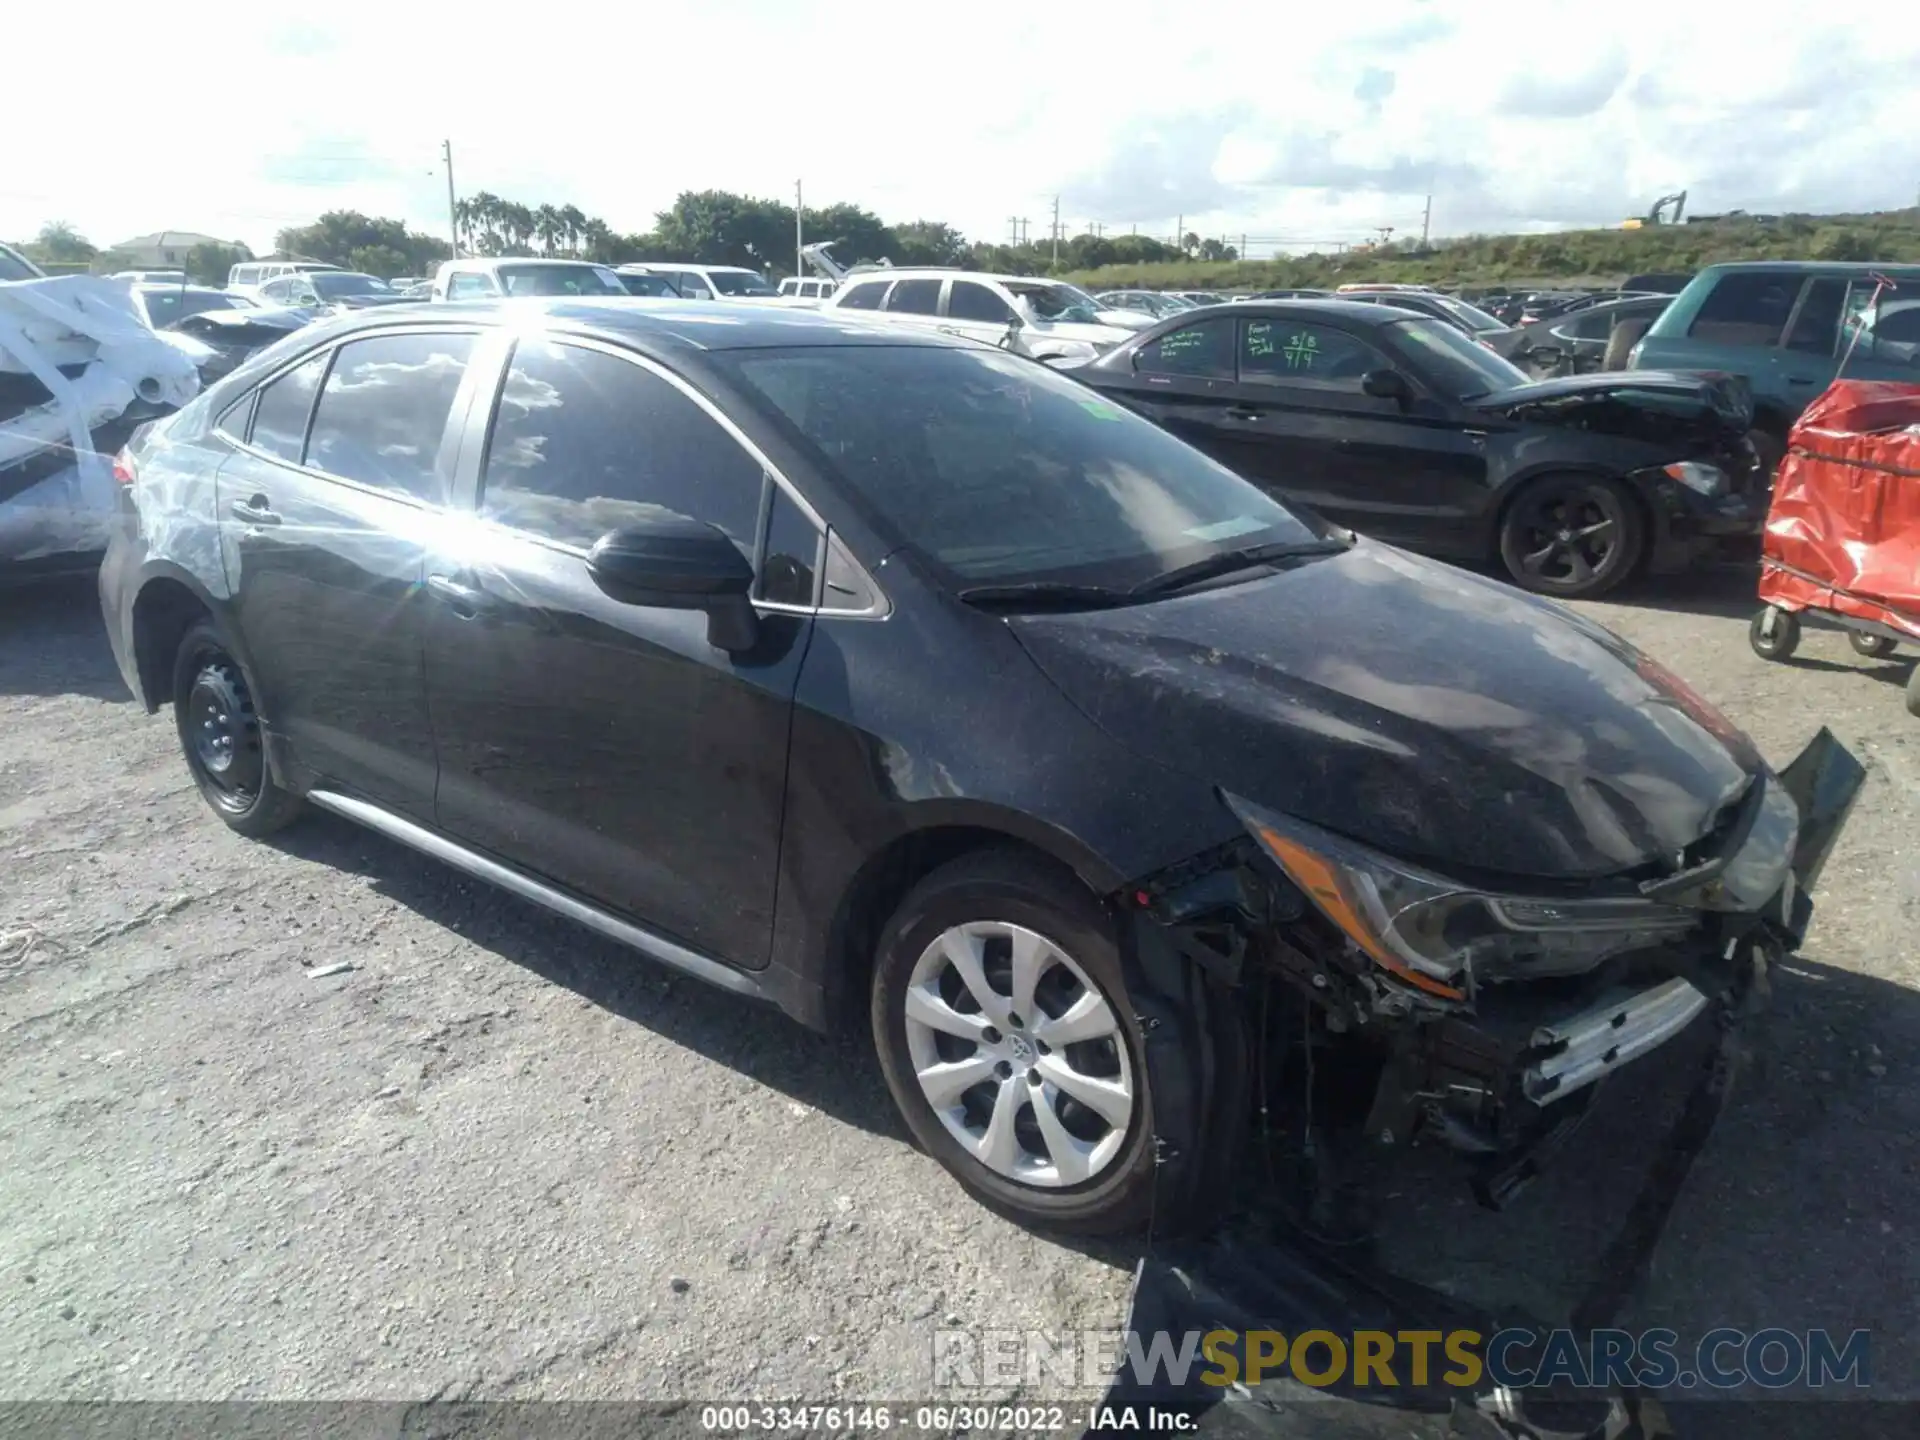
(1408,431)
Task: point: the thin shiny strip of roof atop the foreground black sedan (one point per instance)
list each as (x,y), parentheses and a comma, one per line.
(667,324)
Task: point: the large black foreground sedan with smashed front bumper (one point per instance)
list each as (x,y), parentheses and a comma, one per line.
(903,683)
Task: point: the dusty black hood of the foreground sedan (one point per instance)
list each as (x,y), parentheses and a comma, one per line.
(1414,708)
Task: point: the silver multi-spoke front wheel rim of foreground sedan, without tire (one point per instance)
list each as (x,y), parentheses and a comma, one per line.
(1019,1055)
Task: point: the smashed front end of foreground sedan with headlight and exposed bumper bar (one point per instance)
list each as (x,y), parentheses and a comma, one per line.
(1495,1013)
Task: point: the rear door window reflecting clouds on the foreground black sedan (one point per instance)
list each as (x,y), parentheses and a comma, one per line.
(385,410)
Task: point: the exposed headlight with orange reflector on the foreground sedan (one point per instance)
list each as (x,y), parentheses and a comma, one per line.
(1445,938)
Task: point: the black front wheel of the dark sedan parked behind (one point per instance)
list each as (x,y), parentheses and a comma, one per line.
(1572,537)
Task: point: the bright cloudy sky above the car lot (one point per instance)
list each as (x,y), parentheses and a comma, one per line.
(1280,122)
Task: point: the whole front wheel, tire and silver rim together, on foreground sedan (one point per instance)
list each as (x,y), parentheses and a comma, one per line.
(1009,1044)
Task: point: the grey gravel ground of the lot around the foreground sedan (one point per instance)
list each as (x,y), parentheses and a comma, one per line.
(504,1159)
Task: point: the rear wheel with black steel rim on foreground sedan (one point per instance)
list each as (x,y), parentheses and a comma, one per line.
(220,736)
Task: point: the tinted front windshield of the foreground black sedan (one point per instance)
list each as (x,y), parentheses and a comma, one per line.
(996,469)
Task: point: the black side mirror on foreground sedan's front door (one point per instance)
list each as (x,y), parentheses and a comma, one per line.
(681,565)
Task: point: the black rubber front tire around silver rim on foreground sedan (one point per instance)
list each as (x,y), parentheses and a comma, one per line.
(1015,890)
